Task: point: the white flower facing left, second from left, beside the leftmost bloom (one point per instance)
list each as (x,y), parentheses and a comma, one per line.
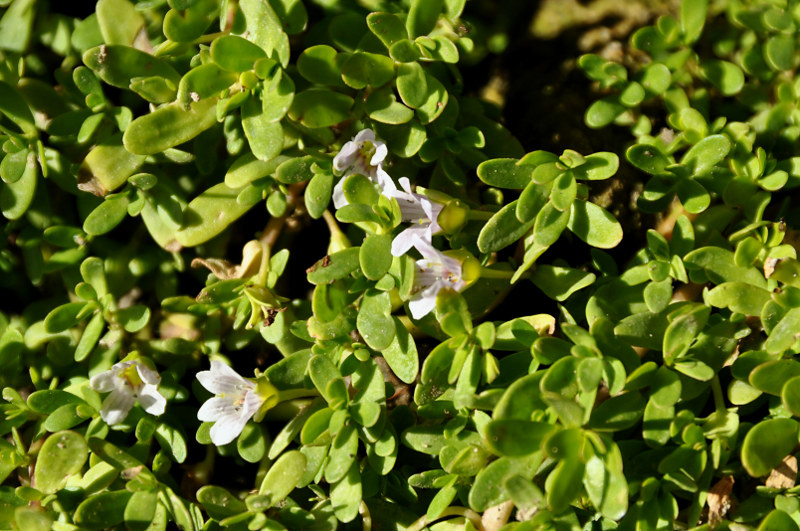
(236,401)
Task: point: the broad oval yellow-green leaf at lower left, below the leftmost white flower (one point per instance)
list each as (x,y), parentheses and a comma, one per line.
(62,455)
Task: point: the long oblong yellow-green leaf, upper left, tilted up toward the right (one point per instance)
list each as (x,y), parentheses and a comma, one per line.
(169,126)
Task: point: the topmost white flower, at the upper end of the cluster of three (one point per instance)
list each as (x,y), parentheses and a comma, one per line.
(364,154)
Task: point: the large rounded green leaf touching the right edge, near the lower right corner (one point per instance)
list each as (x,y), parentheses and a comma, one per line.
(766,444)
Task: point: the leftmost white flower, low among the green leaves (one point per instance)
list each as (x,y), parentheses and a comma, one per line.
(127,381)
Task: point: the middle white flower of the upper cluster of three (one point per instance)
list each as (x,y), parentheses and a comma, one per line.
(421,211)
